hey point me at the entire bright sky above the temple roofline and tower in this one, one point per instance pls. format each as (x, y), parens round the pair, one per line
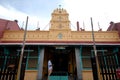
(39, 11)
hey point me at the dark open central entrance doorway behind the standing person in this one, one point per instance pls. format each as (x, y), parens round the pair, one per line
(63, 59)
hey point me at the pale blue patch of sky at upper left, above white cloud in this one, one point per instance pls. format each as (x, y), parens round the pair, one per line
(32, 7)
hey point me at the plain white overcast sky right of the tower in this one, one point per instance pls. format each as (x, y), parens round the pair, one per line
(102, 11)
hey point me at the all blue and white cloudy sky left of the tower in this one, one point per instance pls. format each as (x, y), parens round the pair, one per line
(39, 11)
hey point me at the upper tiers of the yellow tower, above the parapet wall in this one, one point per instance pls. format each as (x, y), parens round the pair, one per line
(60, 19)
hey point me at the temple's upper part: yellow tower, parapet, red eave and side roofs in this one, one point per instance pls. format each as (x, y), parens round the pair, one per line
(59, 33)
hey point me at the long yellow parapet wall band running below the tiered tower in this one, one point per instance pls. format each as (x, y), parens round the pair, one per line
(102, 36)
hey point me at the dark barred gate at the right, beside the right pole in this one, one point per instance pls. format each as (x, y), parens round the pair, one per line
(108, 64)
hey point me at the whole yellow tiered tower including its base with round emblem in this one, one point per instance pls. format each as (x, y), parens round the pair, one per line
(60, 25)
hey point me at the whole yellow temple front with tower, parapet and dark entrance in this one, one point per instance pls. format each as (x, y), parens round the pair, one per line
(69, 50)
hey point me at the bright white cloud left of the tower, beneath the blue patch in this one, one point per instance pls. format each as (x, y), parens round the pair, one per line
(12, 14)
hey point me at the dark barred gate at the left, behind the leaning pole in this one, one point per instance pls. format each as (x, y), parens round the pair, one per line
(9, 67)
